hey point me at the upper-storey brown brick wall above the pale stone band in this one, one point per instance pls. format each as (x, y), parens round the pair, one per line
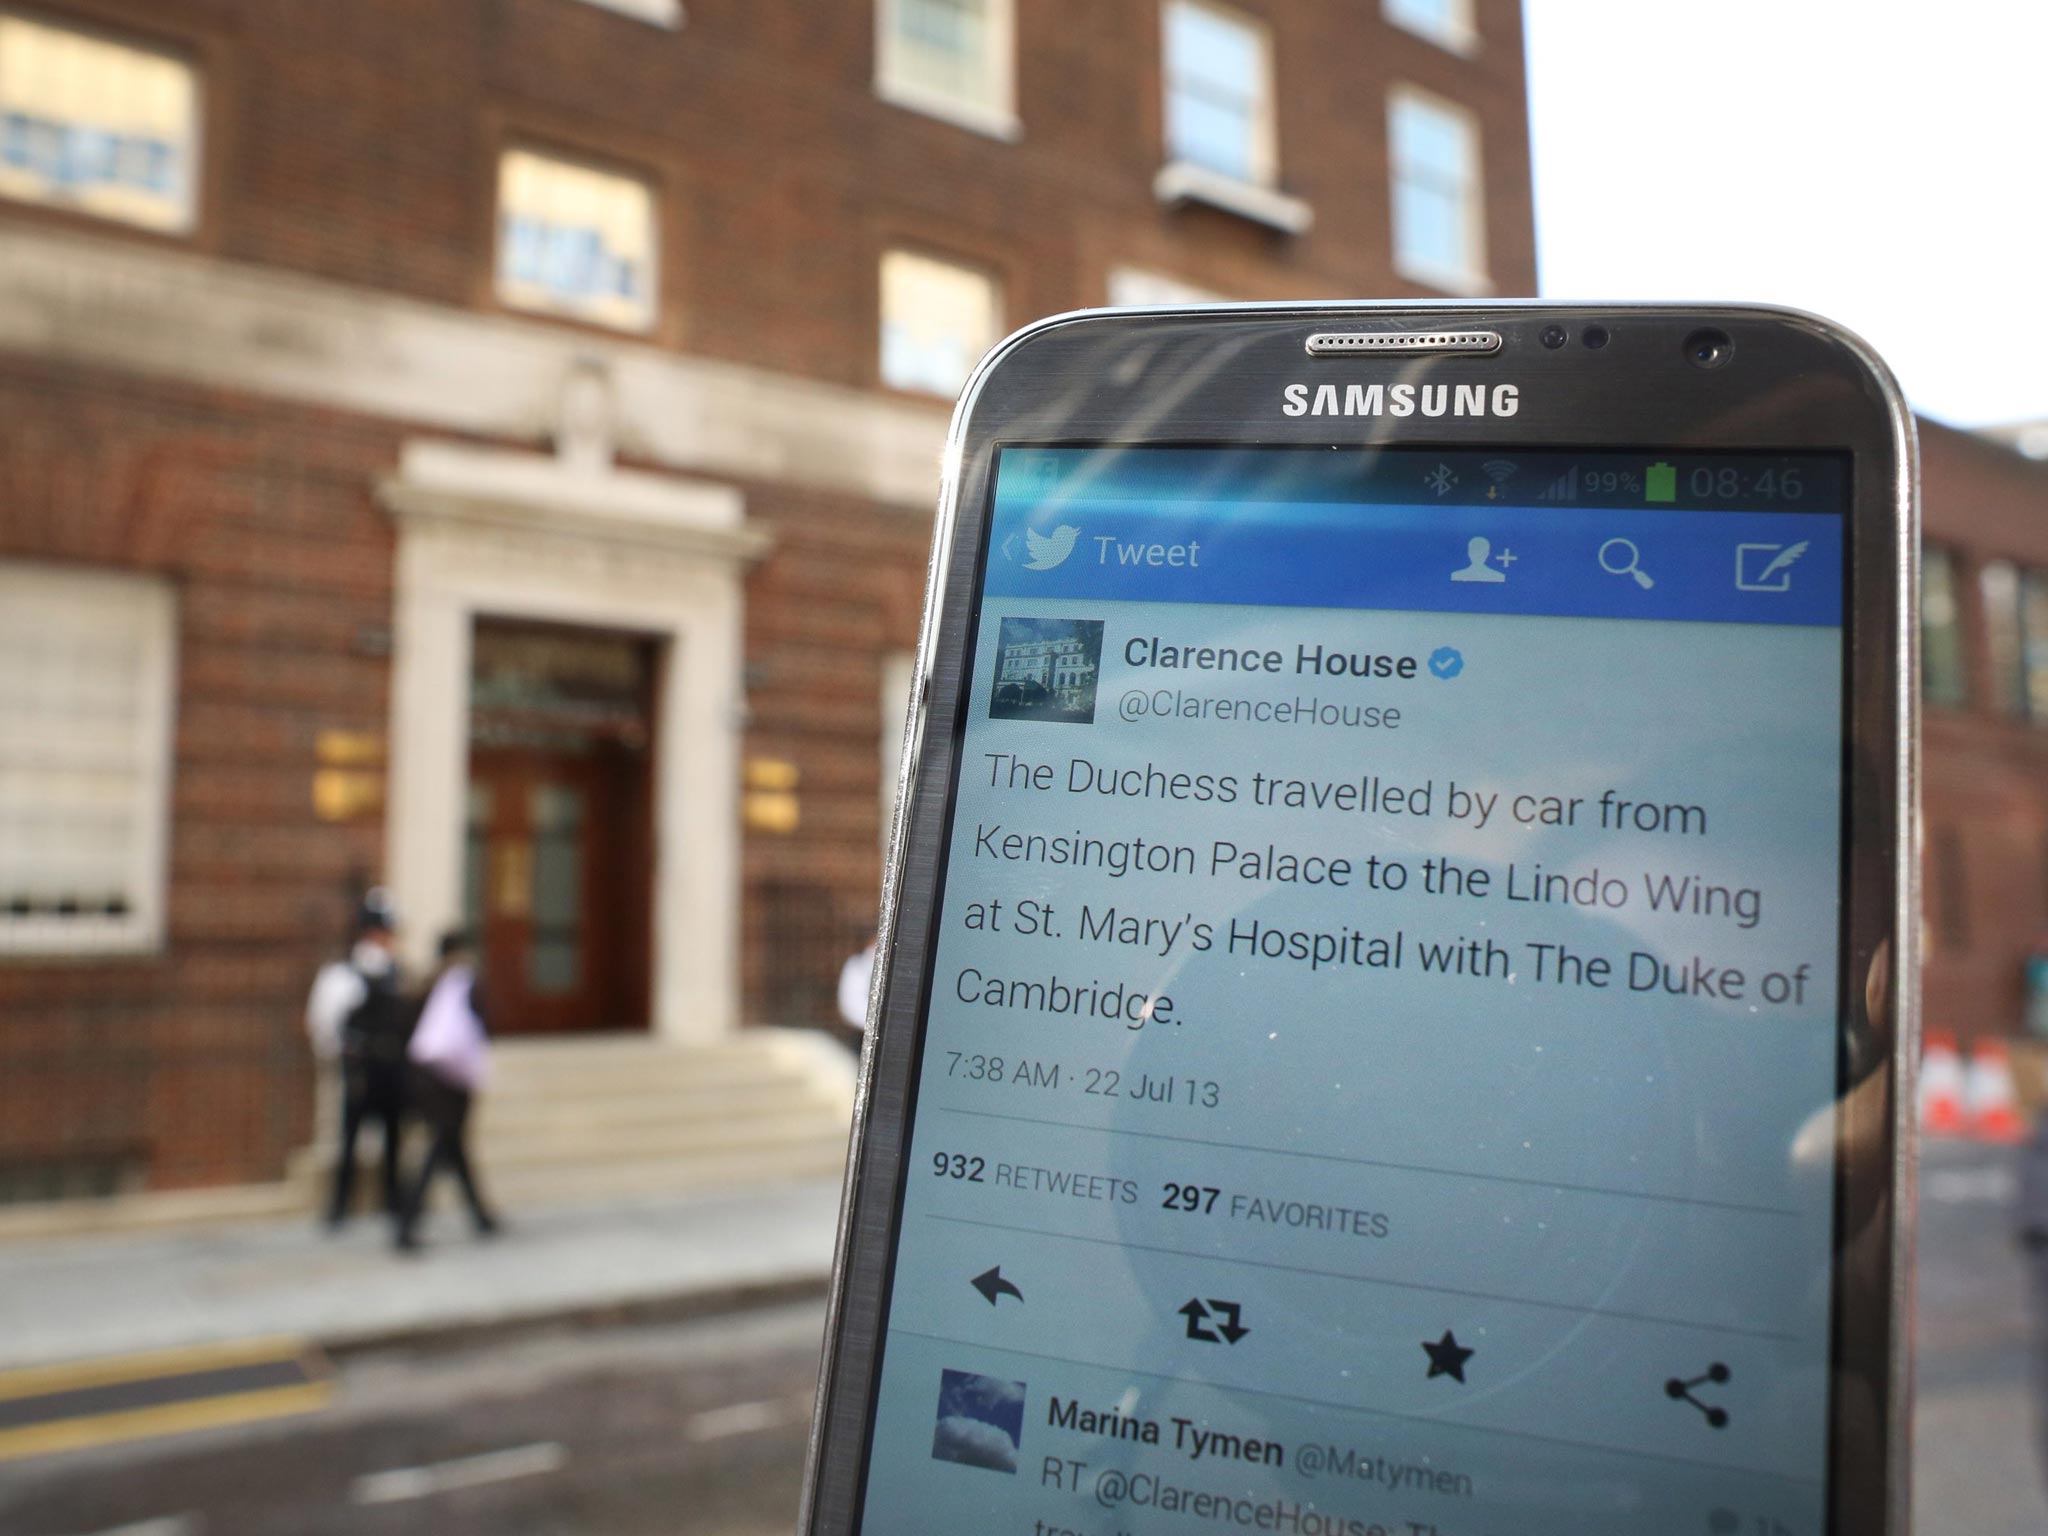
(359, 144)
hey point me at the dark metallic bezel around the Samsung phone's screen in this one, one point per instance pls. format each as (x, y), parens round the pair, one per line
(1215, 376)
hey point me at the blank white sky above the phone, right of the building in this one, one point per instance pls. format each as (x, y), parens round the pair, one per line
(1875, 161)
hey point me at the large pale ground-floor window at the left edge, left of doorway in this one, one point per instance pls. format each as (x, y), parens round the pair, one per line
(85, 761)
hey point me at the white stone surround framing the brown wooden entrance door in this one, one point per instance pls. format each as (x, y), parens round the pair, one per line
(574, 540)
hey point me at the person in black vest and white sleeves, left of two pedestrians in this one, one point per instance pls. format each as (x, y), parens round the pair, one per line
(361, 1017)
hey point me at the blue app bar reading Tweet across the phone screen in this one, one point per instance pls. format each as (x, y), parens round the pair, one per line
(1086, 525)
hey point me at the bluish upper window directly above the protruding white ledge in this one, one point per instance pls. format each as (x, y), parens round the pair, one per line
(1220, 93)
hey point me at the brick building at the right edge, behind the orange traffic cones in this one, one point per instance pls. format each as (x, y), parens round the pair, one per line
(1986, 687)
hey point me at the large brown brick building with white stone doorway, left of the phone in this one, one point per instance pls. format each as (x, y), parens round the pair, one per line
(488, 447)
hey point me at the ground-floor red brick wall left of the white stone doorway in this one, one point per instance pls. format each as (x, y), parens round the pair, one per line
(196, 1060)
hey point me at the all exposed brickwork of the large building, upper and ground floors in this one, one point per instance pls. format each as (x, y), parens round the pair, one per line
(359, 142)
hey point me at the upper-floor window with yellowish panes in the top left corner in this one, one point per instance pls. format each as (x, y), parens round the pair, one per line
(97, 126)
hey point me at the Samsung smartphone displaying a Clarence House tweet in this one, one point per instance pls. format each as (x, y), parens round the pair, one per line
(1396, 996)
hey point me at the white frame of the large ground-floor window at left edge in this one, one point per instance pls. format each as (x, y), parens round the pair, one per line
(155, 605)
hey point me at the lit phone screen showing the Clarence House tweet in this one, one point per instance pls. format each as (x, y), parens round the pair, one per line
(1381, 1031)
